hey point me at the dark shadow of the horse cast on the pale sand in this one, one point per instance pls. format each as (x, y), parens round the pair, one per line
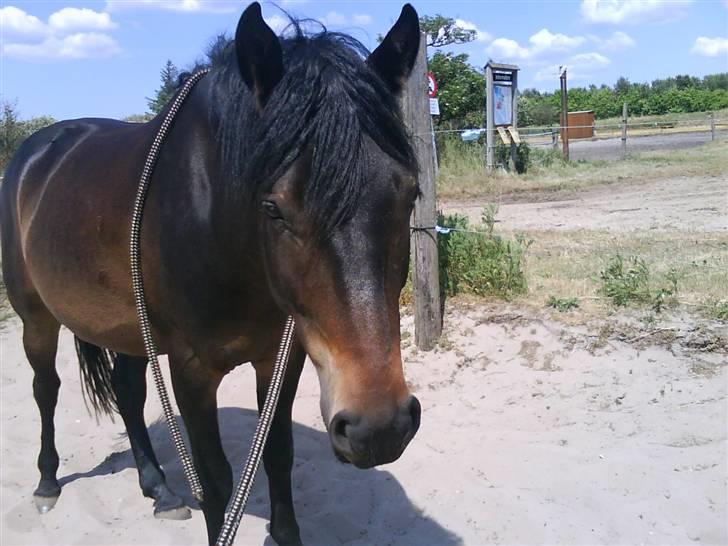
(335, 503)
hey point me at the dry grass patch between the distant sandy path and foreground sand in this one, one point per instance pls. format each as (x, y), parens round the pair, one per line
(566, 264)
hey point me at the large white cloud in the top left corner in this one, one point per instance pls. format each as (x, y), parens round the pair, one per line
(68, 34)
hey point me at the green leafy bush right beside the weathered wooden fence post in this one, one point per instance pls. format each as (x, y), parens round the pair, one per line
(476, 261)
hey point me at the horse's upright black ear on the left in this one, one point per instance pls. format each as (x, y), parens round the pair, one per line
(259, 52)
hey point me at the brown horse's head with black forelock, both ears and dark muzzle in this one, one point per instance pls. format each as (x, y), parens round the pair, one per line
(334, 217)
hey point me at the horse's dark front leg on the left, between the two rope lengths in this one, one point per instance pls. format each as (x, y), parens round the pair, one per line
(195, 388)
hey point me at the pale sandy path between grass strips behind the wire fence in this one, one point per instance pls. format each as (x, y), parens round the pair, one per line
(694, 203)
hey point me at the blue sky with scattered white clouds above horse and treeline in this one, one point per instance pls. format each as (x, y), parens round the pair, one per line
(69, 58)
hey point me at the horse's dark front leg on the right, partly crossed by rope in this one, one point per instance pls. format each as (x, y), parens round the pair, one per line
(278, 452)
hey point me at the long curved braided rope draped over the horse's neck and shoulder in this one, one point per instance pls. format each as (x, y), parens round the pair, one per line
(138, 283)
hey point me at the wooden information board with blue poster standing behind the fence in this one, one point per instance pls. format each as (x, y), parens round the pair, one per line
(501, 107)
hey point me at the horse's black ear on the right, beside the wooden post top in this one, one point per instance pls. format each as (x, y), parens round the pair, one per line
(395, 56)
